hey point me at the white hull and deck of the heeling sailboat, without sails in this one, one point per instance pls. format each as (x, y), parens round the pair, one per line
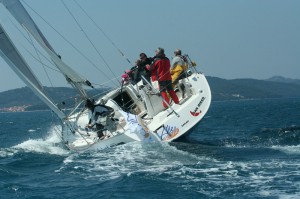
(164, 126)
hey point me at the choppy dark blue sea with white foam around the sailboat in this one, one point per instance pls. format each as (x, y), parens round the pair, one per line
(241, 149)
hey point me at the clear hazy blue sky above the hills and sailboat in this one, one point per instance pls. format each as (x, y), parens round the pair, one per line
(229, 39)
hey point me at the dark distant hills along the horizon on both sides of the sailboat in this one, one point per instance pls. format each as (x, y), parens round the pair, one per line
(222, 89)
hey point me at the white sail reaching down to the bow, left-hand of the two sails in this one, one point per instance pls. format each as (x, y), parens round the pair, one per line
(15, 60)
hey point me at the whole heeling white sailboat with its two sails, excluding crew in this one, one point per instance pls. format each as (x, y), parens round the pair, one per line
(138, 113)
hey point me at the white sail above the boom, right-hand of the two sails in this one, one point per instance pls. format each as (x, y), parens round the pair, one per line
(21, 15)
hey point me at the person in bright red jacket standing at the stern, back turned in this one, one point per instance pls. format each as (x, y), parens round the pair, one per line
(160, 71)
